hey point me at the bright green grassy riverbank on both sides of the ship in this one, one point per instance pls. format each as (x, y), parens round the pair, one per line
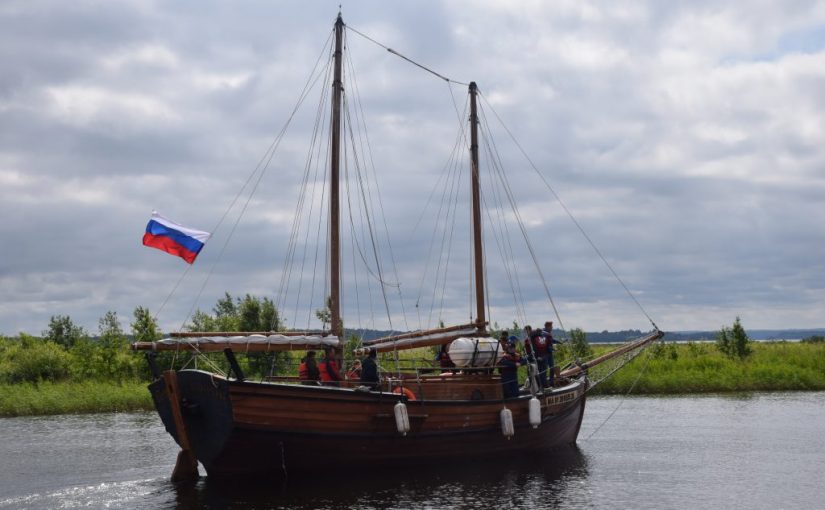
(664, 369)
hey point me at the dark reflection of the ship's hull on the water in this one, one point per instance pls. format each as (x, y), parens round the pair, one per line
(527, 483)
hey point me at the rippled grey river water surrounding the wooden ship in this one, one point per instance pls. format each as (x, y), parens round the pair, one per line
(747, 451)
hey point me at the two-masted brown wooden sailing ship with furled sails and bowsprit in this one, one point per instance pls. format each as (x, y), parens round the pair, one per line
(235, 426)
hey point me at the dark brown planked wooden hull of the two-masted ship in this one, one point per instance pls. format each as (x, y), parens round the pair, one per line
(275, 429)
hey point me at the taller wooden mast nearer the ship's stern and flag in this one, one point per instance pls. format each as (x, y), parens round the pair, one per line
(334, 201)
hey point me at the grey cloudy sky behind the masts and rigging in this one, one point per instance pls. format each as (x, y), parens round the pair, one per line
(685, 138)
